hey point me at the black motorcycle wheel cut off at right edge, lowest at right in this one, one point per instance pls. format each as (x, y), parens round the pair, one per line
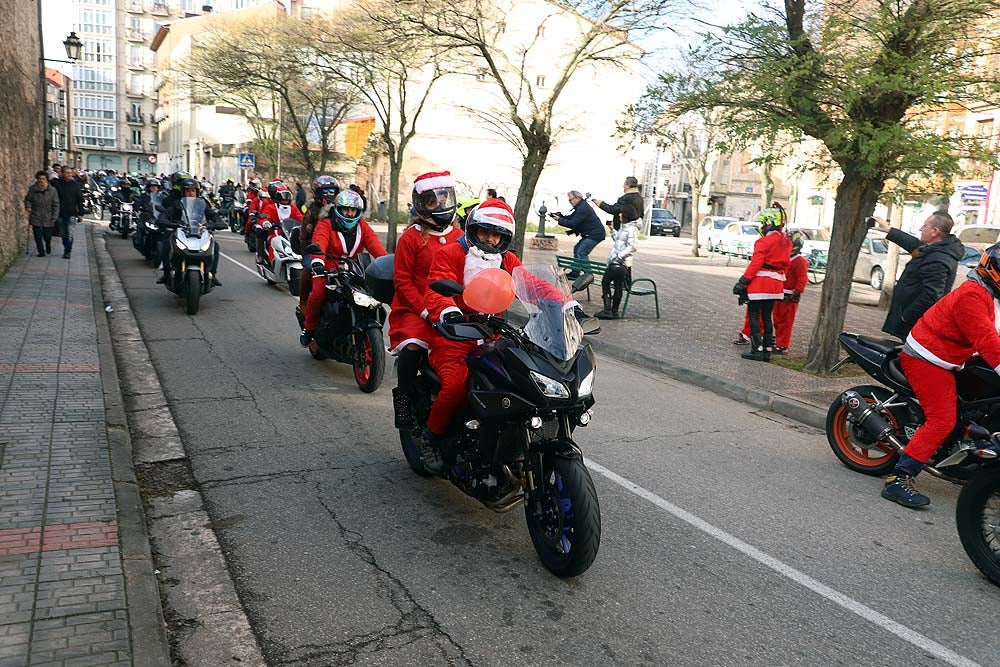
(977, 517)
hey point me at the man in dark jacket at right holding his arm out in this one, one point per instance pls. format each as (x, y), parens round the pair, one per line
(928, 276)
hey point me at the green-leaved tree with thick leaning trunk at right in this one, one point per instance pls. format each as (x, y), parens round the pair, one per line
(870, 81)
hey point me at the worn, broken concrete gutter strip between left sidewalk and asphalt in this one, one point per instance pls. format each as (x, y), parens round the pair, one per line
(209, 627)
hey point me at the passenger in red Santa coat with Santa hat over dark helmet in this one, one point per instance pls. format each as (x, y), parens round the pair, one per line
(431, 228)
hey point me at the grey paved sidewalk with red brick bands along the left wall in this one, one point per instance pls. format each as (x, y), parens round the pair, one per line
(76, 578)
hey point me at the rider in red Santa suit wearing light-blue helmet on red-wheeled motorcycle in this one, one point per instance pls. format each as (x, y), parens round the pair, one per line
(341, 232)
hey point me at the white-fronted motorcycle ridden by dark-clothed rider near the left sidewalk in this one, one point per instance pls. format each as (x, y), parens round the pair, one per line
(192, 248)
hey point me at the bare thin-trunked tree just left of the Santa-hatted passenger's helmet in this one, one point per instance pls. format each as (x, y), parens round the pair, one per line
(393, 70)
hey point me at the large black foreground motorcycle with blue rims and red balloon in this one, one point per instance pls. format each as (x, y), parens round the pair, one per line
(512, 443)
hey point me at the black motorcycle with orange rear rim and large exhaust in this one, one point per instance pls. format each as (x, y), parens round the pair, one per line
(868, 426)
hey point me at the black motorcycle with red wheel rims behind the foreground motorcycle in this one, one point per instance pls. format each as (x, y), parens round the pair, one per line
(350, 324)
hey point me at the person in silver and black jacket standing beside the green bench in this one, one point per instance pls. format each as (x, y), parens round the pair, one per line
(626, 216)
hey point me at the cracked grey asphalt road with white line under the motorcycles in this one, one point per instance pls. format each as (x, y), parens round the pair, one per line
(730, 537)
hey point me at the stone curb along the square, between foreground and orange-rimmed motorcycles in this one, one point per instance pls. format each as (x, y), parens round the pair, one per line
(801, 412)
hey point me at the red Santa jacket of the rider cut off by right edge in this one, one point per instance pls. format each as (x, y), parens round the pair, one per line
(962, 323)
